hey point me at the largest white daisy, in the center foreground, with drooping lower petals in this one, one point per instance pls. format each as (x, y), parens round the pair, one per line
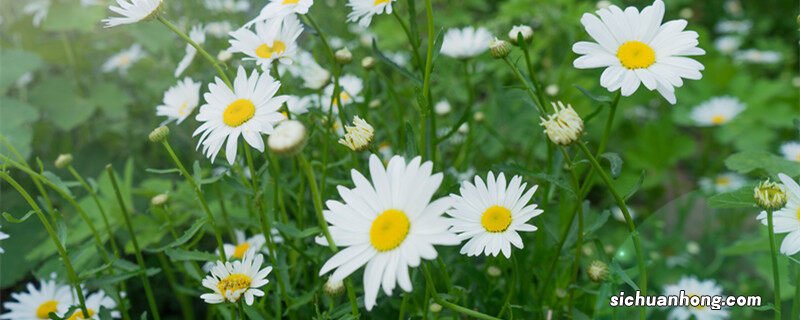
(388, 223)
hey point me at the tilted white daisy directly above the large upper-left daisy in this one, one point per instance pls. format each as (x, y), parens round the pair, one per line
(273, 39)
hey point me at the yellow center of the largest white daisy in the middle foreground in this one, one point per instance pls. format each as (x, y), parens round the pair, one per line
(389, 230)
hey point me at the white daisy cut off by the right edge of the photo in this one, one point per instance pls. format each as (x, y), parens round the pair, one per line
(787, 220)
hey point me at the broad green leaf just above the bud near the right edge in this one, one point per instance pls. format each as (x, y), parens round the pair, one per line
(749, 161)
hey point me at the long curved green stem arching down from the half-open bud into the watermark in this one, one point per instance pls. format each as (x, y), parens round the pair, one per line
(631, 227)
